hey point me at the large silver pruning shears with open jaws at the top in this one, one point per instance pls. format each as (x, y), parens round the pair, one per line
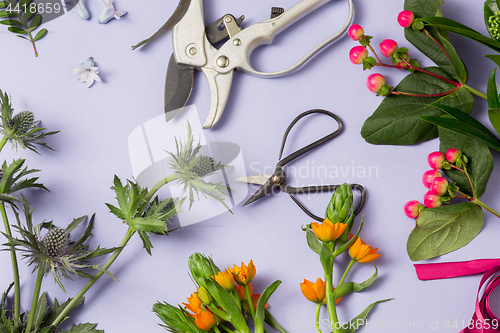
(193, 49)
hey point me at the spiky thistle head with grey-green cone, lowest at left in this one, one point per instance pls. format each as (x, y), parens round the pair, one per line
(54, 252)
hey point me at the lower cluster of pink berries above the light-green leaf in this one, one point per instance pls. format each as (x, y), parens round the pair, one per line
(440, 190)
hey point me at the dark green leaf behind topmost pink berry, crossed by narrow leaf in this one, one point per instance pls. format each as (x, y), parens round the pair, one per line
(425, 44)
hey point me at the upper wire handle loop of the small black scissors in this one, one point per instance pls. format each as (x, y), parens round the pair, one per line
(310, 146)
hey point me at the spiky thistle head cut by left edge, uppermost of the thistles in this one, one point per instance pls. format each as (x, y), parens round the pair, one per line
(20, 129)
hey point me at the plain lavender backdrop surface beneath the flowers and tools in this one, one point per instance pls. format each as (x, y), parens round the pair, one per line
(93, 146)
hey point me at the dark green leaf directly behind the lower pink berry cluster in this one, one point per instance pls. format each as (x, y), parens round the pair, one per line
(480, 163)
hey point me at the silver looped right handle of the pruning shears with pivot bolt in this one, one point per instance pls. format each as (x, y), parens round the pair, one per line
(236, 52)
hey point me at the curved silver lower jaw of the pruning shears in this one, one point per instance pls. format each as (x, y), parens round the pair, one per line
(220, 85)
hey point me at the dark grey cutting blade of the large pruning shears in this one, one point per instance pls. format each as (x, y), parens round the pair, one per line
(178, 87)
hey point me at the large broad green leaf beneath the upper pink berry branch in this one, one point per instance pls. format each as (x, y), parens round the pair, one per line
(396, 120)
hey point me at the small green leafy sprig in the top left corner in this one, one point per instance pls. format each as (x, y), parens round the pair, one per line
(22, 20)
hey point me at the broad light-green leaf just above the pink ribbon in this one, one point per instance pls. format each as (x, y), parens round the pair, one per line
(444, 229)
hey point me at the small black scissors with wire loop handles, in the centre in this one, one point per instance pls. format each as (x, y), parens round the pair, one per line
(278, 179)
